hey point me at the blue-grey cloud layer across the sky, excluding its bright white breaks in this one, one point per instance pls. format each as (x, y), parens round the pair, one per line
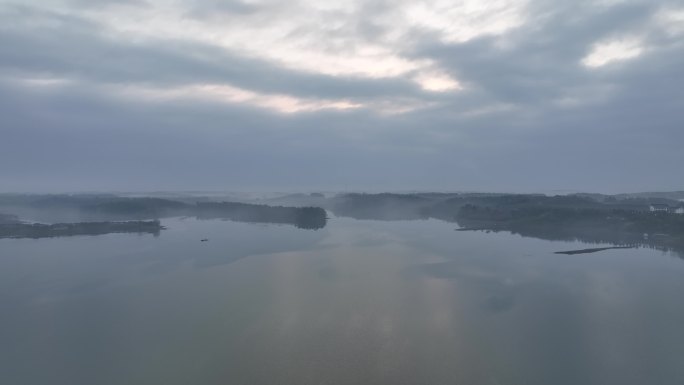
(80, 136)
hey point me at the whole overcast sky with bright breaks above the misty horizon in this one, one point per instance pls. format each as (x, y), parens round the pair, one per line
(471, 95)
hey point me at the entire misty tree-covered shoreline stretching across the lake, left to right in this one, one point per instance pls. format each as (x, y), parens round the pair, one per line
(593, 218)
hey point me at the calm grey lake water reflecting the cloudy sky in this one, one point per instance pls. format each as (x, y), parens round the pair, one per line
(356, 302)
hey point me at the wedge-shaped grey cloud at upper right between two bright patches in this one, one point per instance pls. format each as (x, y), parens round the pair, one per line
(543, 58)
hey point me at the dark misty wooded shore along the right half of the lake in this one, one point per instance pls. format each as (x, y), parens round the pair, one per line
(584, 218)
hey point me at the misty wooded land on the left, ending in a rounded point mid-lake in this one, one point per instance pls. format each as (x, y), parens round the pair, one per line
(74, 213)
